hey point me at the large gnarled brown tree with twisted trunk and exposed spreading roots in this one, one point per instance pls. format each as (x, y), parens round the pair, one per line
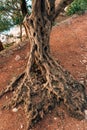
(44, 83)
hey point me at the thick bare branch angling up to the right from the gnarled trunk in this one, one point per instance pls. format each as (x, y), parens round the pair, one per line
(62, 4)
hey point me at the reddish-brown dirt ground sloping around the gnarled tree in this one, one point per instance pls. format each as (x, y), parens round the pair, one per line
(69, 46)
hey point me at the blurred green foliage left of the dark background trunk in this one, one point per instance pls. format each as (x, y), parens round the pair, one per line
(9, 12)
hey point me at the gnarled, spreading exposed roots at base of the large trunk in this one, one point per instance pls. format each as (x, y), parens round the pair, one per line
(47, 86)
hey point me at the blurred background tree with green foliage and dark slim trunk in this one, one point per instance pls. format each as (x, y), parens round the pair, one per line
(12, 12)
